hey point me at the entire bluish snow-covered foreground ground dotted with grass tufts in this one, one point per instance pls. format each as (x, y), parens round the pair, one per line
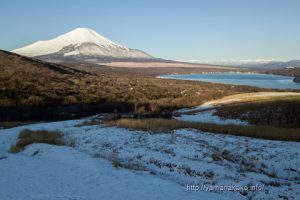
(154, 166)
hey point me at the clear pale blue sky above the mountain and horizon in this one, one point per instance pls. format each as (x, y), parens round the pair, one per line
(210, 30)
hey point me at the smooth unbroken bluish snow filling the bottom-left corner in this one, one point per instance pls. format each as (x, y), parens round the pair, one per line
(58, 172)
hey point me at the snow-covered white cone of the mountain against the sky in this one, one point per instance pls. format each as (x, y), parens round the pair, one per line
(81, 44)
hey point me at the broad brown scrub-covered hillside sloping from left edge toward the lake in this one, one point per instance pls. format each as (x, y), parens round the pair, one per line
(27, 82)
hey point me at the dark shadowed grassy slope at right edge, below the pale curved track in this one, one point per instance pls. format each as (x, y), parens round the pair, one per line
(284, 111)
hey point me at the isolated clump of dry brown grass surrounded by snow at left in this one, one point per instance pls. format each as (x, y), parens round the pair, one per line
(27, 137)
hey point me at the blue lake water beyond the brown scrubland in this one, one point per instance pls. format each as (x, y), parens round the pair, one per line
(252, 79)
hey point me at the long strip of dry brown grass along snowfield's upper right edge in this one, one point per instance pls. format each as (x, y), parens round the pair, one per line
(156, 125)
